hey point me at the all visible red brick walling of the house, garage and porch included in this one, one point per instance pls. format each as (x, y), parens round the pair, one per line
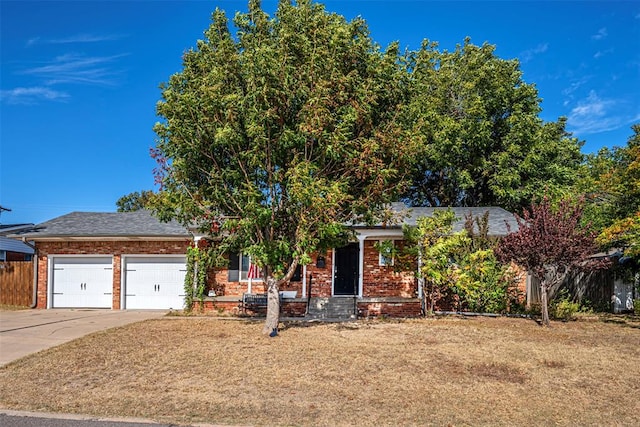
(379, 281)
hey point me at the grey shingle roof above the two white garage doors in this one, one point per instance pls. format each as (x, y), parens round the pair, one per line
(99, 224)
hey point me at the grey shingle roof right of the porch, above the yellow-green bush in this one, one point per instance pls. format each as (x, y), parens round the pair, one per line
(498, 217)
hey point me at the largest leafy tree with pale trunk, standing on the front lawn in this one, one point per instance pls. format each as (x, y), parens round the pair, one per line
(277, 136)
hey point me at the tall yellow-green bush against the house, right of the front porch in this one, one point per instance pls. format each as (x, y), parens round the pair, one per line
(460, 267)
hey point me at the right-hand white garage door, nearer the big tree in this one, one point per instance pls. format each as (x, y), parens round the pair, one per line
(154, 282)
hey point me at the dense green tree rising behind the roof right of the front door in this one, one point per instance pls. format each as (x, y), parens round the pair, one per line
(483, 142)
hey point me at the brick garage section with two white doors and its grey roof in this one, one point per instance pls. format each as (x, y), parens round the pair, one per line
(109, 260)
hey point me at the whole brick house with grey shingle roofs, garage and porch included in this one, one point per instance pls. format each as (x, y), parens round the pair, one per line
(133, 261)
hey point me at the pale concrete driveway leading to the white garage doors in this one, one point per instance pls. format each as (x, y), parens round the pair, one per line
(28, 331)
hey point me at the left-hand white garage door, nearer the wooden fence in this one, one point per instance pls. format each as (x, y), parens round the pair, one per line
(82, 282)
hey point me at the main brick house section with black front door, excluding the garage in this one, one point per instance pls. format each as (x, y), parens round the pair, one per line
(354, 280)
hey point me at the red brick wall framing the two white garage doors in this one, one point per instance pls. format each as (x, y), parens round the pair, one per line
(113, 248)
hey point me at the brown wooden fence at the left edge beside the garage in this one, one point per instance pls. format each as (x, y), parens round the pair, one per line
(16, 283)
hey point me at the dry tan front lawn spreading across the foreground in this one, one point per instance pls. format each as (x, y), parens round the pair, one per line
(445, 371)
